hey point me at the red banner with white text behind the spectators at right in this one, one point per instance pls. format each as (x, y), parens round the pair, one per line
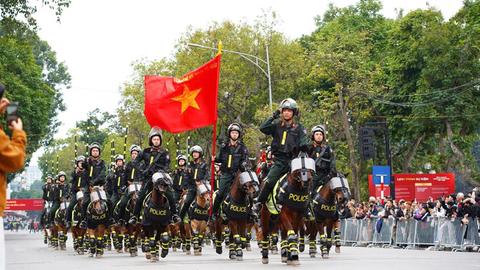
(418, 186)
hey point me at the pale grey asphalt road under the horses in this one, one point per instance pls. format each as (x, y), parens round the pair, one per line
(27, 251)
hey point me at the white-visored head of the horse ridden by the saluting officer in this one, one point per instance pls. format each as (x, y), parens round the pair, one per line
(301, 171)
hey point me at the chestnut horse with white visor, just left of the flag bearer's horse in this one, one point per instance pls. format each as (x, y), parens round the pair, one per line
(198, 216)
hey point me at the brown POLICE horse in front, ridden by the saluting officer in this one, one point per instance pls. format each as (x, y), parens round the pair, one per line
(292, 194)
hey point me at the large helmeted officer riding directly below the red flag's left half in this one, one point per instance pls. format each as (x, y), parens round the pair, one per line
(154, 159)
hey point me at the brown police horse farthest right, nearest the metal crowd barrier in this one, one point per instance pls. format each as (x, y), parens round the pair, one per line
(325, 207)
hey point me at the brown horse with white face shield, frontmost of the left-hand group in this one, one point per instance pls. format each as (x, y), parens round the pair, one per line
(97, 220)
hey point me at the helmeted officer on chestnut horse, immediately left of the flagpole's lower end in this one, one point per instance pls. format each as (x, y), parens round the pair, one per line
(198, 173)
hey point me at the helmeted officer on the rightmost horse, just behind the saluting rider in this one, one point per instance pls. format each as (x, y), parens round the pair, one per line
(323, 155)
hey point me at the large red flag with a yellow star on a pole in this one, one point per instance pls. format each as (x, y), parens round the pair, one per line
(190, 102)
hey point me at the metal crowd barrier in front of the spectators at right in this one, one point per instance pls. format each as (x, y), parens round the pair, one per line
(436, 233)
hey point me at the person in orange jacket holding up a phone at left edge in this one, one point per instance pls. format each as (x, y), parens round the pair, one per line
(12, 158)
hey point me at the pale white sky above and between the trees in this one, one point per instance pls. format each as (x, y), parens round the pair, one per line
(99, 39)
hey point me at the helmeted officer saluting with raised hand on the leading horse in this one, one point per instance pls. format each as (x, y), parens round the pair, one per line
(289, 137)
